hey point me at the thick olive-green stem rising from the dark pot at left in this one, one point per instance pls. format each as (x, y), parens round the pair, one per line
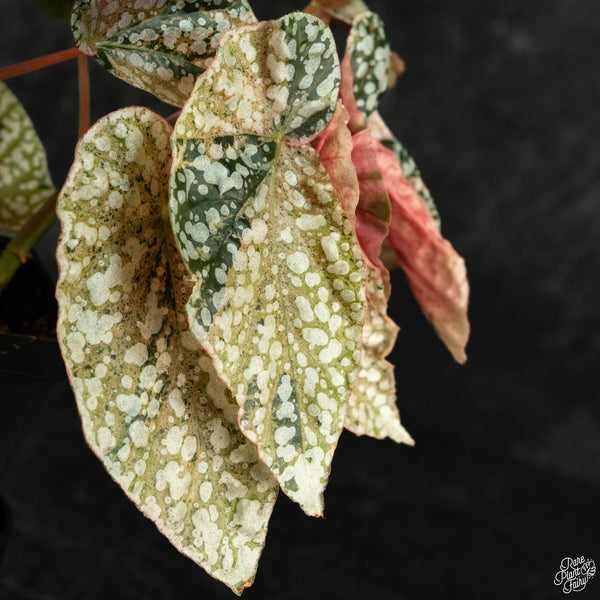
(18, 250)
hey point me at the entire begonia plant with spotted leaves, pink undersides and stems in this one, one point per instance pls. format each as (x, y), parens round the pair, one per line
(224, 277)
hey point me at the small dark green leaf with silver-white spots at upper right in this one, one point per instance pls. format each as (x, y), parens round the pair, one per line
(368, 53)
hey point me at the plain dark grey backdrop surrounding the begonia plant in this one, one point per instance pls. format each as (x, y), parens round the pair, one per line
(500, 107)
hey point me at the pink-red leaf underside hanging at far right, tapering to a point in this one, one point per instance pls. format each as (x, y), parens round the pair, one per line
(435, 272)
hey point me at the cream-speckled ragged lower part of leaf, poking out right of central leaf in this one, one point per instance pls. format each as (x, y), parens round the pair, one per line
(372, 406)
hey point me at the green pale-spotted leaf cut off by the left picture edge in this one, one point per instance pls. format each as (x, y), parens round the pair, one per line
(25, 183)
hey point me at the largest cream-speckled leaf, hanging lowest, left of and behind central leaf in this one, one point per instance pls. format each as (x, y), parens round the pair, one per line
(153, 408)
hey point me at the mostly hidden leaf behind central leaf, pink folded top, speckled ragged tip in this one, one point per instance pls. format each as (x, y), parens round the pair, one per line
(372, 404)
